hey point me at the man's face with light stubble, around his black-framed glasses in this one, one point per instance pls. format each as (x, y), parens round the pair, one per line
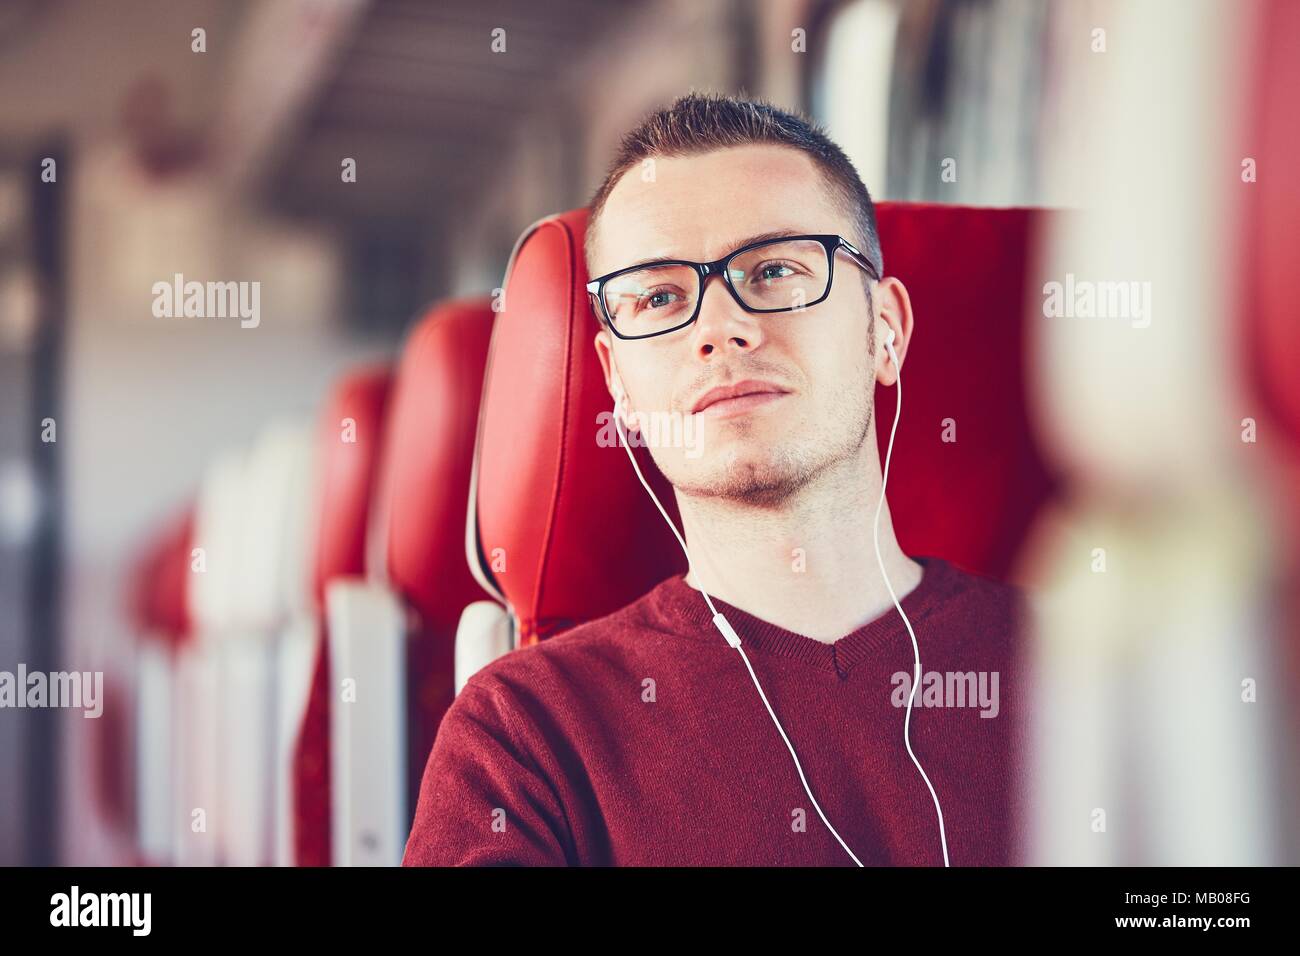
(700, 209)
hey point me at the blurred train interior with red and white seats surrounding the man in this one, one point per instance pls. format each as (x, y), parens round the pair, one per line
(266, 358)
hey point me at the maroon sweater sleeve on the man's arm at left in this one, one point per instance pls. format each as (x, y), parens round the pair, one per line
(484, 798)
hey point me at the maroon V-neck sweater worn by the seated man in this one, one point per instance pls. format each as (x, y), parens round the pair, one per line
(640, 739)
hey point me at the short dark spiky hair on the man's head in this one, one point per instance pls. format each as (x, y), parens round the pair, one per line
(703, 123)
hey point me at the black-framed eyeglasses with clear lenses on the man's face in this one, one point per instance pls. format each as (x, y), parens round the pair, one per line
(785, 275)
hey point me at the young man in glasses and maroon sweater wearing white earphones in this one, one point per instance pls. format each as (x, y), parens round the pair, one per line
(642, 738)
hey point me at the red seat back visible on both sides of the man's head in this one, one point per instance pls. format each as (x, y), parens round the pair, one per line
(578, 533)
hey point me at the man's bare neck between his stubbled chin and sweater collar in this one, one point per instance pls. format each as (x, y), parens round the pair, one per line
(808, 566)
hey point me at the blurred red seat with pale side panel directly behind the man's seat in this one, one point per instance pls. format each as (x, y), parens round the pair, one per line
(396, 637)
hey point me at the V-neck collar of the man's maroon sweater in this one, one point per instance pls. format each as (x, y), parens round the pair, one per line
(682, 607)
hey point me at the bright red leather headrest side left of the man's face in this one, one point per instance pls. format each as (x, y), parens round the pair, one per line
(565, 530)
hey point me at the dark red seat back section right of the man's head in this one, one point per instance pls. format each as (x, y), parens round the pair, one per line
(970, 500)
